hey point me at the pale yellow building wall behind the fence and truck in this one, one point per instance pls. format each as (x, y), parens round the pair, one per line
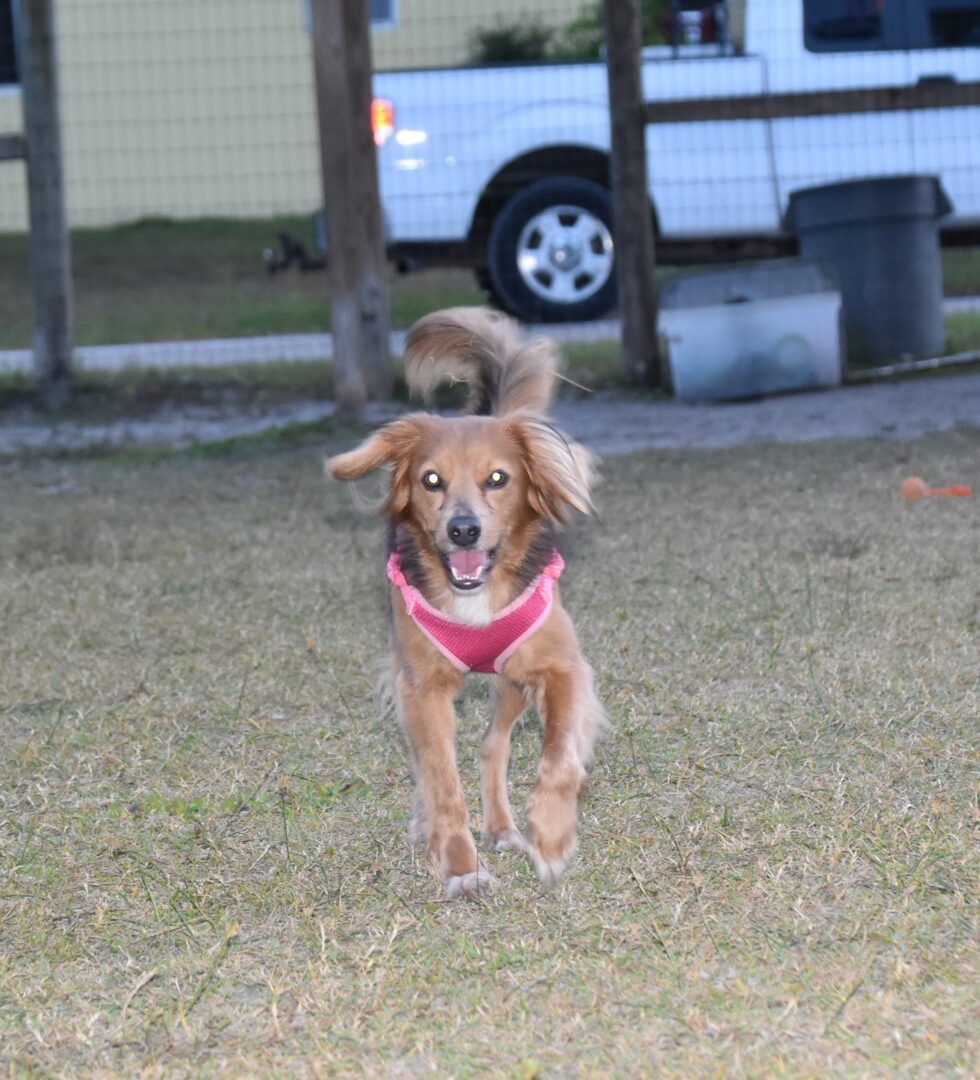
(184, 109)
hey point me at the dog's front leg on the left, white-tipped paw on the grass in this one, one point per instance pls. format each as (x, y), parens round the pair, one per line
(429, 724)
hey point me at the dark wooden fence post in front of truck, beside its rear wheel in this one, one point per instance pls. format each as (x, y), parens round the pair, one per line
(634, 233)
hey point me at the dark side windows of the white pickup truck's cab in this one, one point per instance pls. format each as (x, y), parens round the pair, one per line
(850, 25)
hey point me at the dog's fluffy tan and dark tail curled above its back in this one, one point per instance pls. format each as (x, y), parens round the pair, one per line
(484, 349)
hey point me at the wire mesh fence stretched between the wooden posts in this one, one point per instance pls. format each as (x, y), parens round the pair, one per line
(190, 143)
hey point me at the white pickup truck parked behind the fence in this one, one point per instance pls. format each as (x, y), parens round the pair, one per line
(507, 168)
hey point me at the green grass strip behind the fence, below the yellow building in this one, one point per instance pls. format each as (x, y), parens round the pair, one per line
(162, 280)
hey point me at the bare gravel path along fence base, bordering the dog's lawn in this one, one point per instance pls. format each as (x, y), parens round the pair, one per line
(610, 425)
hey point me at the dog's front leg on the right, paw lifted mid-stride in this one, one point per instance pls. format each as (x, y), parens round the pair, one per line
(569, 712)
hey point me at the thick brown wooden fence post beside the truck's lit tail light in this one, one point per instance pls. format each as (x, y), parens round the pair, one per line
(356, 249)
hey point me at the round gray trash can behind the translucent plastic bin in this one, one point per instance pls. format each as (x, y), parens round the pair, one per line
(882, 237)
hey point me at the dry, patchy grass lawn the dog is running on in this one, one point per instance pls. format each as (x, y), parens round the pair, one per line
(206, 870)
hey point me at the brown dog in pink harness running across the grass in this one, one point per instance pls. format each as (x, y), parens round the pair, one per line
(475, 505)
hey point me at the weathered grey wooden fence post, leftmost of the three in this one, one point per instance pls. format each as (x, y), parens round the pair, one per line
(50, 252)
